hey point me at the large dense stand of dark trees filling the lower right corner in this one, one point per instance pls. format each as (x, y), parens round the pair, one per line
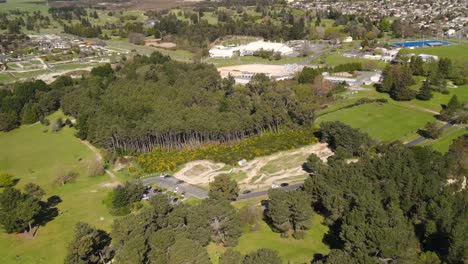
(393, 203)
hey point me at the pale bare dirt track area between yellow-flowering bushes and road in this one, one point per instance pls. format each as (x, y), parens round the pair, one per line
(262, 172)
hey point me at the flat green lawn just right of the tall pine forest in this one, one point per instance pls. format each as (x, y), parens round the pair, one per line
(387, 122)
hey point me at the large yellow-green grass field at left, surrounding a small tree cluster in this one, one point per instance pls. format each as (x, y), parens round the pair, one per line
(33, 155)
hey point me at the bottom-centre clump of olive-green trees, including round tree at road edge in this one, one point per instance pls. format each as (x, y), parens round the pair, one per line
(170, 233)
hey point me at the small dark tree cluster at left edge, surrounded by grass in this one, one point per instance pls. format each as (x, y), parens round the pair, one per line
(21, 210)
